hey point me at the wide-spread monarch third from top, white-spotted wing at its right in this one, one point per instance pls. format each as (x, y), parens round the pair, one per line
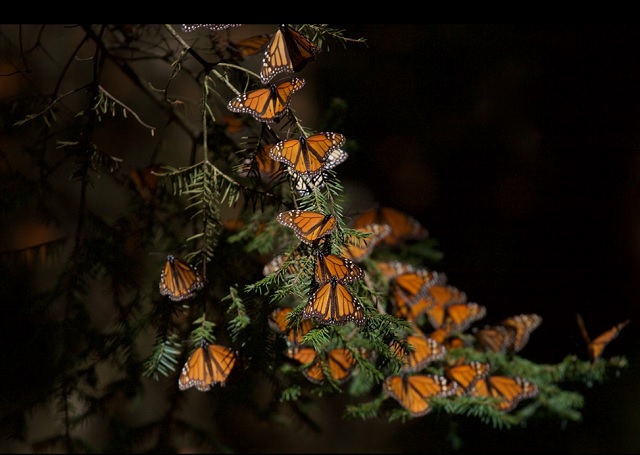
(310, 155)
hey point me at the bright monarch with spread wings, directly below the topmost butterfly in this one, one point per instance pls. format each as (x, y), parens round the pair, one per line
(267, 104)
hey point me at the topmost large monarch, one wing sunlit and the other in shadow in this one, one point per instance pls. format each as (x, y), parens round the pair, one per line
(289, 51)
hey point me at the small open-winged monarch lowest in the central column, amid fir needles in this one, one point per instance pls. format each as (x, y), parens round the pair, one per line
(339, 362)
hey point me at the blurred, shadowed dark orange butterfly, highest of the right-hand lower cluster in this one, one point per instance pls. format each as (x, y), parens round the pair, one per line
(403, 226)
